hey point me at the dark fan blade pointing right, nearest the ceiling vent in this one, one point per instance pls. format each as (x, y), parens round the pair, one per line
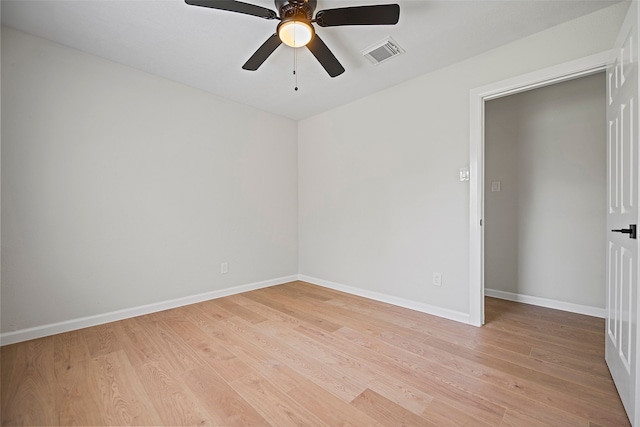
(383, 14)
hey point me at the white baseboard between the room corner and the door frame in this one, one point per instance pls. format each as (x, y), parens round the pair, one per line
(401, 302)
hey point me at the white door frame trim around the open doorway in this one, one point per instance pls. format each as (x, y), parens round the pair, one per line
(477, 97)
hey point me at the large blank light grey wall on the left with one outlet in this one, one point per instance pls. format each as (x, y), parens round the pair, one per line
(121, 189)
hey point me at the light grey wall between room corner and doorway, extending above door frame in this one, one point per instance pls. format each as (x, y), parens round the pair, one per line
(380, 204)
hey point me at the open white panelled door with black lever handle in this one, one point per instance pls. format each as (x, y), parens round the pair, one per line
(622, 216)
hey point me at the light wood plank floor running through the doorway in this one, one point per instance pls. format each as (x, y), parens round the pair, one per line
(298, 354)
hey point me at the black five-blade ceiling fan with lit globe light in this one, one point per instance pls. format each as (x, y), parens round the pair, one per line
(296, 30)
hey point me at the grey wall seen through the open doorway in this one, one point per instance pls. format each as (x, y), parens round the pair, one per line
(544, 231)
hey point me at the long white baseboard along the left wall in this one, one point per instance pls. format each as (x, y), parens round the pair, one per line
(99, 319)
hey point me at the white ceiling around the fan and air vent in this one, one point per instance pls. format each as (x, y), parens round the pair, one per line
(206, 48)
